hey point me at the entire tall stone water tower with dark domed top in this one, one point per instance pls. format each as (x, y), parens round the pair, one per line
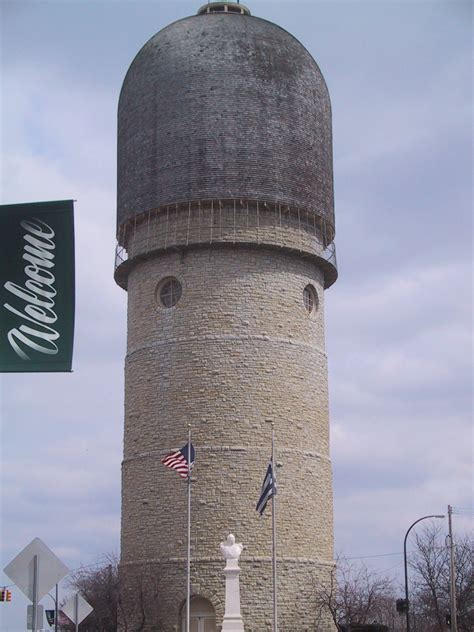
(225, 229)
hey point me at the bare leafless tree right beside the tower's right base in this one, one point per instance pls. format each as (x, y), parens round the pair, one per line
(356, 595)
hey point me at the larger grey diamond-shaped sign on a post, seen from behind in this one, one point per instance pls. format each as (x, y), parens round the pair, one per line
(35, 570)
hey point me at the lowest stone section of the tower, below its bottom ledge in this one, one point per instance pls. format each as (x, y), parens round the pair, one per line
(153, 595)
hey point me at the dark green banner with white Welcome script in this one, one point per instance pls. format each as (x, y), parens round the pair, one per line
(36, 286)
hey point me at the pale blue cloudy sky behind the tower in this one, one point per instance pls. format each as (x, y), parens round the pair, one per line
(398, 320)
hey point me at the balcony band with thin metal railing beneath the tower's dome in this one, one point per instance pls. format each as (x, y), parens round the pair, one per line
(226, 221)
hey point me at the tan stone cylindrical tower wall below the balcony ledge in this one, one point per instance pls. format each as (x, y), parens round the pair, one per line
(238, 349)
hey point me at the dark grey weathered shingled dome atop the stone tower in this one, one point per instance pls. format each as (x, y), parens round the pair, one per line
(224, 105)
